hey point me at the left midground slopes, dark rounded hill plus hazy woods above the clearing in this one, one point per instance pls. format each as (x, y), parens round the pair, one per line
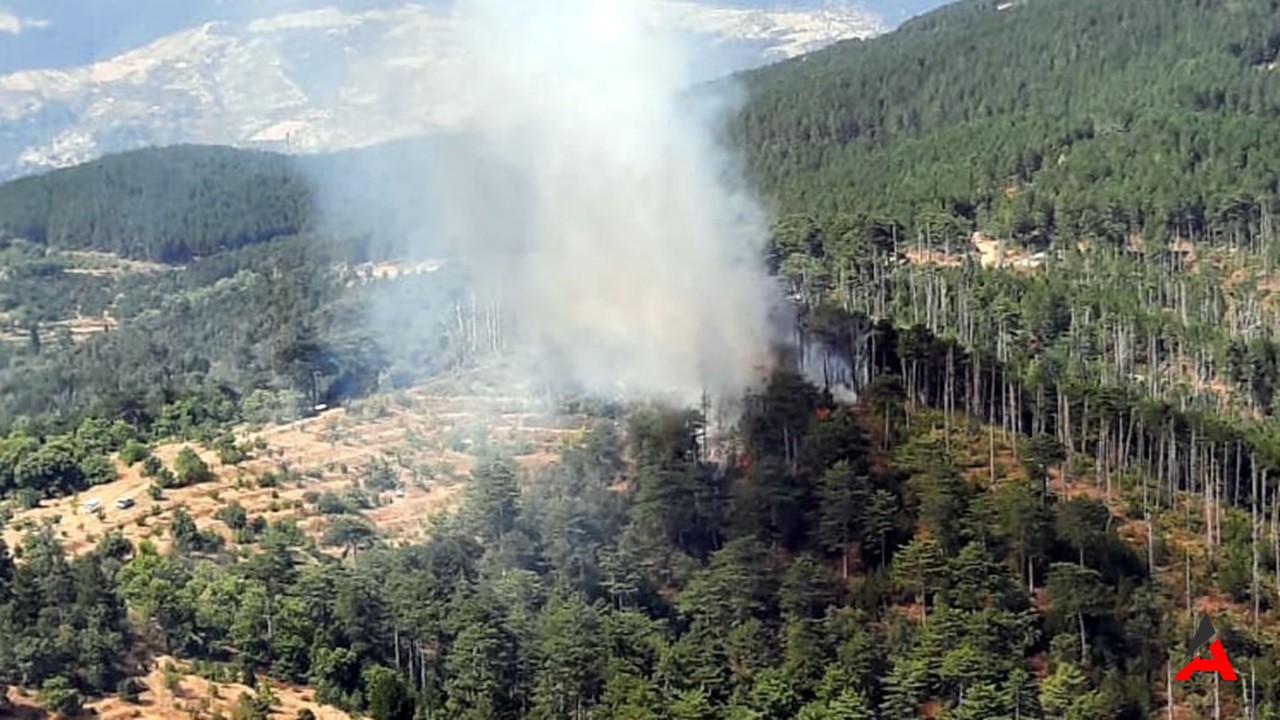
(145, 279)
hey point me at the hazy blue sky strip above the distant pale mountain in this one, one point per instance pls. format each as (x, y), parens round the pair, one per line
(39, 34)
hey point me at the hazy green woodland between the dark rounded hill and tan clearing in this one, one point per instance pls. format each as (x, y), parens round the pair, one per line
(276, 320)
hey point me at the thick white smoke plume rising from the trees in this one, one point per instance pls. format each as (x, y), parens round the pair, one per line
(629, 249)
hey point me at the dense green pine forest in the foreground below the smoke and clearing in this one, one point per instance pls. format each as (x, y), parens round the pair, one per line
(836, 566)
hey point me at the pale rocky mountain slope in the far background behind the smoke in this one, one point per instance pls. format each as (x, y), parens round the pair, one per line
(321, 80)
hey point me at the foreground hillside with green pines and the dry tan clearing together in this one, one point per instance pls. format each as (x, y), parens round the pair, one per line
(904, 563)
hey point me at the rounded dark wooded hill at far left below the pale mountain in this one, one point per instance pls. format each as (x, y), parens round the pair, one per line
(168, 206)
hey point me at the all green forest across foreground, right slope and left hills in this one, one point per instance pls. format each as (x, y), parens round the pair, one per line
(1049, 471)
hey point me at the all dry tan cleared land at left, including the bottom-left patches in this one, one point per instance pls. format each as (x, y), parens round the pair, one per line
(429, 441)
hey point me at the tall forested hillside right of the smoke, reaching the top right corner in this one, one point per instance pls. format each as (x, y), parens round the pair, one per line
(1060, 218)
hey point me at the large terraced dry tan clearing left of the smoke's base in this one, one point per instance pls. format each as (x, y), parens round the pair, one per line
(422, 440)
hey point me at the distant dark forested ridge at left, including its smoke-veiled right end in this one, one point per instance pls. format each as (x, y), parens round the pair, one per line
(185, 203)
